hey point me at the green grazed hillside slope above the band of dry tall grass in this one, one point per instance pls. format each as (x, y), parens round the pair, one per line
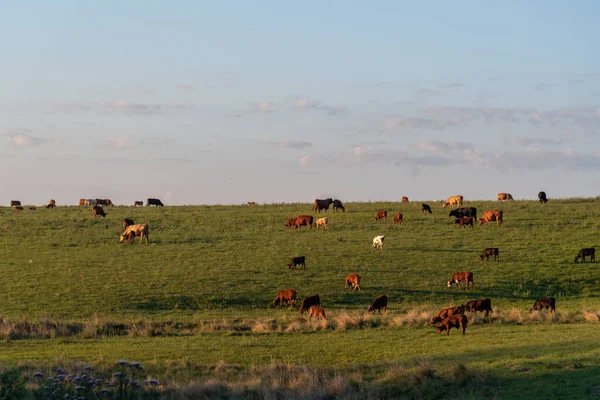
(230, 261)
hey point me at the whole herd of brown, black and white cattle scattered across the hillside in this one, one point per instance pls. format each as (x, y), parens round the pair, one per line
(448, 318)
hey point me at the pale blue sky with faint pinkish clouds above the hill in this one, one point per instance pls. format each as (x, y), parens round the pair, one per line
(198, 102)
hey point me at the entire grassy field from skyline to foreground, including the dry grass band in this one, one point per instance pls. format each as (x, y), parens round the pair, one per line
(193, 304)
